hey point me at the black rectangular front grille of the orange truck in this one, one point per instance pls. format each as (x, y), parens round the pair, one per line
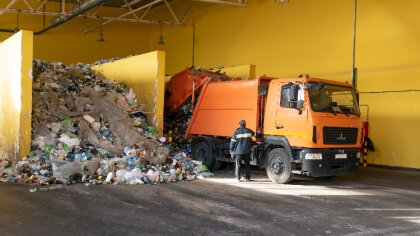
(338, 135)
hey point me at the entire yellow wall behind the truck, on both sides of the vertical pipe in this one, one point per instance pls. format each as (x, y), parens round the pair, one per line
(315, 37)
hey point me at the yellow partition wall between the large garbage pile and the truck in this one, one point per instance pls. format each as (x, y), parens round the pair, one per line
(146, 75)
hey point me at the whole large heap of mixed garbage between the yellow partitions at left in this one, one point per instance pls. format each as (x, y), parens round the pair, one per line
(86, 129)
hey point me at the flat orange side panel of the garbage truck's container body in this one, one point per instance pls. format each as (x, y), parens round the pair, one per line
(222, 104)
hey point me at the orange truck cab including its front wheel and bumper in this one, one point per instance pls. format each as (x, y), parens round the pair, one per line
(316, 123)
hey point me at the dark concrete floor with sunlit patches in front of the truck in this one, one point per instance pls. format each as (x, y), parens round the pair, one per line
(372, 202)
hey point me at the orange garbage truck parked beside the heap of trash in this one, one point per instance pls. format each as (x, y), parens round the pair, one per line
(304, 126)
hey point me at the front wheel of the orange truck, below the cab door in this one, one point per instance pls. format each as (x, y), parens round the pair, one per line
(279, 168)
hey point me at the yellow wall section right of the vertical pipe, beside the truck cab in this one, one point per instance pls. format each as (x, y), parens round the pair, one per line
(389, 59)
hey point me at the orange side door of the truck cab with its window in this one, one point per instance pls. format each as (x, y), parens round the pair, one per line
(291, 117)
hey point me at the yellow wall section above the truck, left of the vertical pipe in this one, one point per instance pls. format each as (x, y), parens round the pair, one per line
(281, 40)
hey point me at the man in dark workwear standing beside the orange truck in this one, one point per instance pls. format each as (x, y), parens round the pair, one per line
(240, 145)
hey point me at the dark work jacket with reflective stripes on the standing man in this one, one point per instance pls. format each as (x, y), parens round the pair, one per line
(241, 141)
